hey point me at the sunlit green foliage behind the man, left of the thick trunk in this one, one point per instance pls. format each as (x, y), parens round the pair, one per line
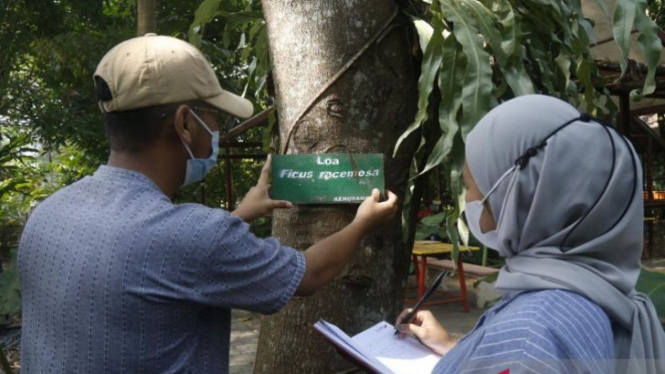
(51, 131)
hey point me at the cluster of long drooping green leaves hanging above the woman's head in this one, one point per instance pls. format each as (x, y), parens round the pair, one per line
(499, 49)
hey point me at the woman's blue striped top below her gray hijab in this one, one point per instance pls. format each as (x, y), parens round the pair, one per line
(543, 332)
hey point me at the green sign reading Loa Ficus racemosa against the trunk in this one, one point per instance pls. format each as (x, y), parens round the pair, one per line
(326, 179)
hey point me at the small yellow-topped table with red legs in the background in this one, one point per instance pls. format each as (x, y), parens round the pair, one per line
(424, 248)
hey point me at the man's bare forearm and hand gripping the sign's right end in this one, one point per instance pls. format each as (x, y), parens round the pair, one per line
(327, 258)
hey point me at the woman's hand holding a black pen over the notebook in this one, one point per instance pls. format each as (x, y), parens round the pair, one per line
(427, 329)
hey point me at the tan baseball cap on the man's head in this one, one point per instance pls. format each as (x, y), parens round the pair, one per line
(154, 70)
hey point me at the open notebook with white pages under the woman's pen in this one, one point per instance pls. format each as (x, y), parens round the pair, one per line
(379, 350)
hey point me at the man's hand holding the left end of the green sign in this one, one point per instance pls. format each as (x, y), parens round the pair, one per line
(257, 203)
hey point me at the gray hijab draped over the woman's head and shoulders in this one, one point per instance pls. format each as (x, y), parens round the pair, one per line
(562, 223)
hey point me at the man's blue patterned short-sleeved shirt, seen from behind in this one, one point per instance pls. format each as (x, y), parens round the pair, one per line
(117, 279)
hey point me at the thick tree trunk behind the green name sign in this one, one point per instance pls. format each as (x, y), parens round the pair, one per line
(364, 111)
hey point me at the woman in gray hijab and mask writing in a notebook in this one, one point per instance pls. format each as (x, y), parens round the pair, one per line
(559, 196)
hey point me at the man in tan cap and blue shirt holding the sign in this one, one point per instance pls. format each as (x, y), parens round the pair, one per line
(115, 277)
